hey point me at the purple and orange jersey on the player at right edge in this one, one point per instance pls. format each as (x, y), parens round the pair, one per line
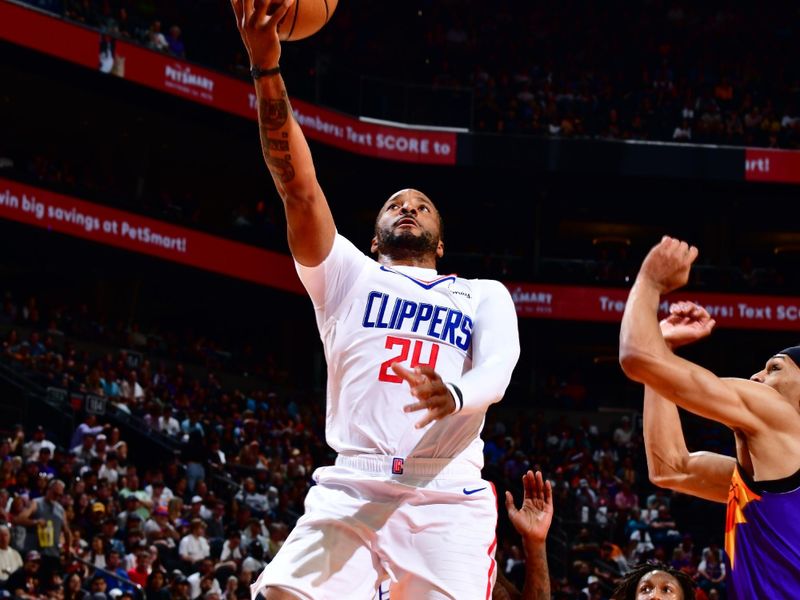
(762, 537)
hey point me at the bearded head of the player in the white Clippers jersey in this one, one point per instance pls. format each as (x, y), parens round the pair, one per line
(408, 224)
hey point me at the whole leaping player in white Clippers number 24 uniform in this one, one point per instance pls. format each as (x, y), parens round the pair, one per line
(414, 358)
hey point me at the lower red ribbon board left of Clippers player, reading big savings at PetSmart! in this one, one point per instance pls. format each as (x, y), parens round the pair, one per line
(63, 214)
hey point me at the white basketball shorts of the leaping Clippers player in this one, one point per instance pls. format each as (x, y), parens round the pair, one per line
(427, 524)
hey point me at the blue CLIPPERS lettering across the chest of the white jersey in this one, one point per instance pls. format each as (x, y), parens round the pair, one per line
(446, 324)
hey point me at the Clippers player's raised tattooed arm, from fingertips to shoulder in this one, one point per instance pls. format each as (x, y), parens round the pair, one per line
(310, 226)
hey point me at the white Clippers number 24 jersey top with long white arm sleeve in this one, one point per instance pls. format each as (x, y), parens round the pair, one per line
(370, 316)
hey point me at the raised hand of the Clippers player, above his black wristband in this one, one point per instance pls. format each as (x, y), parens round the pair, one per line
(257, 21)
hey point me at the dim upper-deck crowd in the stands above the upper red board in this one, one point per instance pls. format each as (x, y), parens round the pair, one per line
(669, 70)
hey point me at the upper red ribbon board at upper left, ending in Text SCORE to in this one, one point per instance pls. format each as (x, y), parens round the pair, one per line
(164, 73)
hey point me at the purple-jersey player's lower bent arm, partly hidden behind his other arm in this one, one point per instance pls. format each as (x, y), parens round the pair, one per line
(669, 462)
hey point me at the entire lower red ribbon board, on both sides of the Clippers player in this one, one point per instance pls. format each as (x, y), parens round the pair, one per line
(63, 214)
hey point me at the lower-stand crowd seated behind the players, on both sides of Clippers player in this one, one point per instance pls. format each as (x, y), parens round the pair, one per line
(205, 519)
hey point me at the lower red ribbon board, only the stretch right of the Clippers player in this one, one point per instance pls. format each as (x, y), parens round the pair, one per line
(607, 304)
